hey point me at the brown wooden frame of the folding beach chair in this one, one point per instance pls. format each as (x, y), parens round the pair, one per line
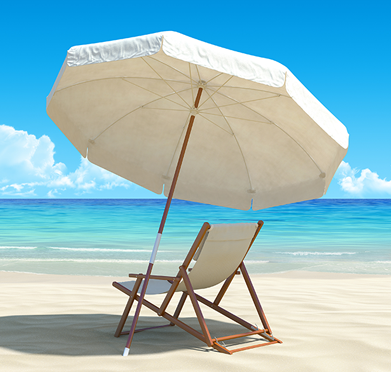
(196, 299)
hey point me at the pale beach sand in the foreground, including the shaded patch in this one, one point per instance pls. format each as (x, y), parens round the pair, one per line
(327, 322)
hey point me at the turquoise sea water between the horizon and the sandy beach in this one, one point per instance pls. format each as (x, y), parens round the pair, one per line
(115, 237)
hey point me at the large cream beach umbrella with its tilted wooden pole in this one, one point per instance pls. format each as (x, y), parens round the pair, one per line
(242, 130)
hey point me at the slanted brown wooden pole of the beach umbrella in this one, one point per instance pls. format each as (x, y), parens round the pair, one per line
(162, 223)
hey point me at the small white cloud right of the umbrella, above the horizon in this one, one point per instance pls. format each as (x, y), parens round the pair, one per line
(362, 184)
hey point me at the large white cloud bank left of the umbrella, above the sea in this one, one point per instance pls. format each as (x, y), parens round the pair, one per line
(27, 162)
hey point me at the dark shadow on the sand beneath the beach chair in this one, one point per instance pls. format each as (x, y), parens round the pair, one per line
(93, 334)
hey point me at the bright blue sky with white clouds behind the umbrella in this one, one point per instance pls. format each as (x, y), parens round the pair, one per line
(340, 50)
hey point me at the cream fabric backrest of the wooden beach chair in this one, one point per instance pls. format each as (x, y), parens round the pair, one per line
(220, 253)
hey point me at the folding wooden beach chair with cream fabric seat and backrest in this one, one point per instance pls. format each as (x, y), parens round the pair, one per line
(218, 251)
